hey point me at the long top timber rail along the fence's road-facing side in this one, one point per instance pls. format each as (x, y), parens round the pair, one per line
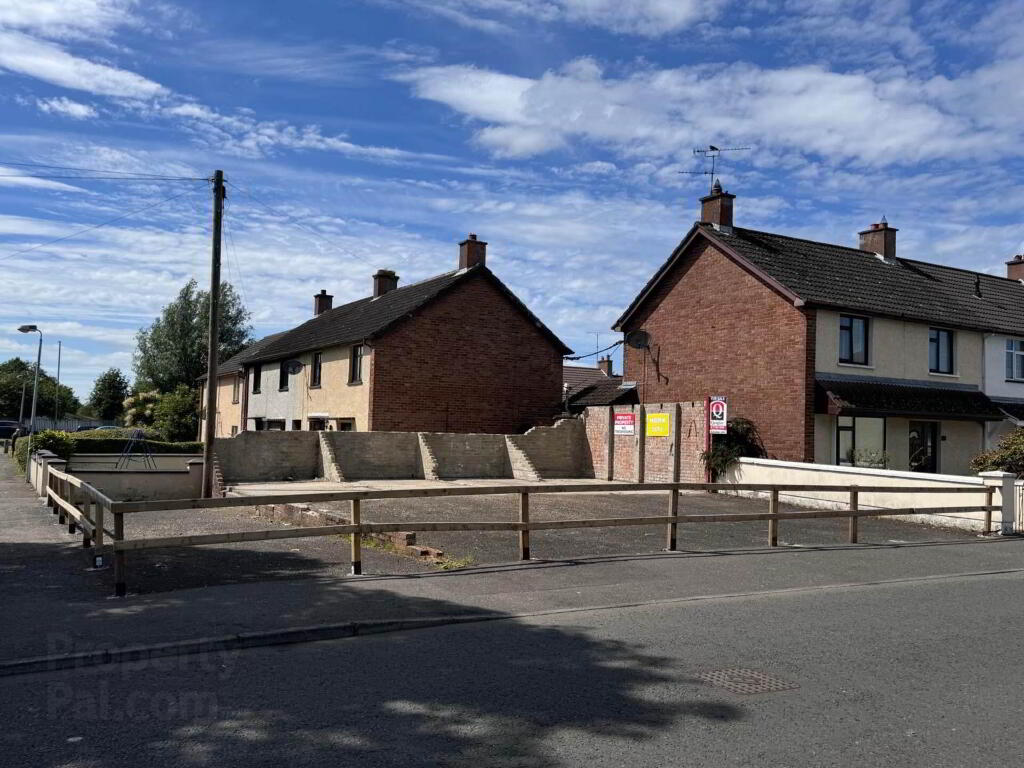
(595, 488)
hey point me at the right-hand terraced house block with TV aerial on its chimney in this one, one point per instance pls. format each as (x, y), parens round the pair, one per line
(839, 355)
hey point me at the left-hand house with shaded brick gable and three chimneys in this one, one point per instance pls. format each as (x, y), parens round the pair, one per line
(458, 353)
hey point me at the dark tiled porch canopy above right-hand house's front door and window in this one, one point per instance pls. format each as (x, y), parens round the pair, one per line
(839, 398)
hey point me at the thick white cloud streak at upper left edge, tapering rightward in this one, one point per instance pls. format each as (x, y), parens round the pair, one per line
(51, 63)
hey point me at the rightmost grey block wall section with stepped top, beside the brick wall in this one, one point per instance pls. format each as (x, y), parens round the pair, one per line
(550, 452)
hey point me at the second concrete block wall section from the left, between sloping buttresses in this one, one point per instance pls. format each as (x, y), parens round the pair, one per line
(373, 456)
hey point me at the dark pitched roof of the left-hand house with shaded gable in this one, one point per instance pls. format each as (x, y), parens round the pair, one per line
(367, 318)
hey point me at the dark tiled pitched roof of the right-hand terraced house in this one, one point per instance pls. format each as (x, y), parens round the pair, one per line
(828, 275)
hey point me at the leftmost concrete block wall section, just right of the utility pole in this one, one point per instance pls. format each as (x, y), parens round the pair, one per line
(265, 457)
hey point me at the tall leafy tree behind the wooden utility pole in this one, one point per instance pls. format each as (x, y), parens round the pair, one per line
(173, 351)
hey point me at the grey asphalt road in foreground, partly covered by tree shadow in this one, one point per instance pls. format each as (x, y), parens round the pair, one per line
(909, 674)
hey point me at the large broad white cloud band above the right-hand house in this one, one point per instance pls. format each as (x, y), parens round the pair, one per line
(653, 113)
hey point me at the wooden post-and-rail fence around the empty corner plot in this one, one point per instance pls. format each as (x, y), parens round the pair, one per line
(84, 508)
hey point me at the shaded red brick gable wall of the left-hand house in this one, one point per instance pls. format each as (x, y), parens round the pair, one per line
(468, 362)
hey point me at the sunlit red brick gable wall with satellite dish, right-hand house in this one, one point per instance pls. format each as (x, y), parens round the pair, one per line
(716, 329)
